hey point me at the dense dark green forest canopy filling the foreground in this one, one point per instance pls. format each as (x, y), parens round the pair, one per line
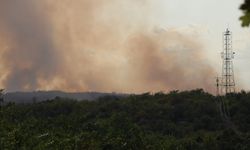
(187, 120)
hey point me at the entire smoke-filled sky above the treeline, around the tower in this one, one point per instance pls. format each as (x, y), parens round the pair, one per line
(130, 46)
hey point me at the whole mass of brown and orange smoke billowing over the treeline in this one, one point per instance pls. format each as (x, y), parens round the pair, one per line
(95, 45)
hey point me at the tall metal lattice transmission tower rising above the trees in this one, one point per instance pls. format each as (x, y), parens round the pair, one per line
(227, 79)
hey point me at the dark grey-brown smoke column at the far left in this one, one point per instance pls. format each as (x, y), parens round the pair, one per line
(30, 53)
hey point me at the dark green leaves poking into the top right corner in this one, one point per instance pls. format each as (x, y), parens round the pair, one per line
(245, 19)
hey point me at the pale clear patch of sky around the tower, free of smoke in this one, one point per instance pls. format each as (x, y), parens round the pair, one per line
(209, 18)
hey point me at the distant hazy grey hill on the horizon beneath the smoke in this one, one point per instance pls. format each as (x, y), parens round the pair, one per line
(38, 96)
